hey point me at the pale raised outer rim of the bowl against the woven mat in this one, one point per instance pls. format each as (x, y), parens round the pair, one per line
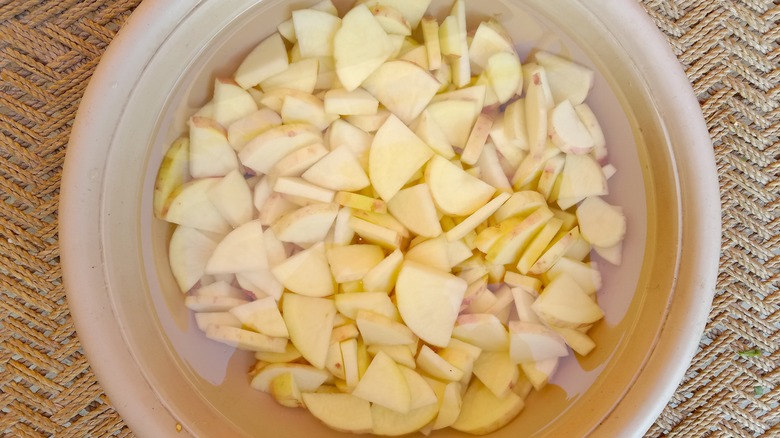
(114, 81)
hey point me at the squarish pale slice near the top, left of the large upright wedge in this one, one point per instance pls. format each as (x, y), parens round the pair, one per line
(314, 31)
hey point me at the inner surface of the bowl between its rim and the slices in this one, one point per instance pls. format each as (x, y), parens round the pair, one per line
(208, 380)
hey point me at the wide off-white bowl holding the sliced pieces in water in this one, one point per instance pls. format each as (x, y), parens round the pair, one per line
(160, 371)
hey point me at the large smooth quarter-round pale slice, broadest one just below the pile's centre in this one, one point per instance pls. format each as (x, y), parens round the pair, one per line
(429, 301)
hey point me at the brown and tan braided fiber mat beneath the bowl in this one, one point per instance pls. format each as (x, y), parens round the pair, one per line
(49, 49)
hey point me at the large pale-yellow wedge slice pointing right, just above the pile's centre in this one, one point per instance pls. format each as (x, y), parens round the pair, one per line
(396, 155)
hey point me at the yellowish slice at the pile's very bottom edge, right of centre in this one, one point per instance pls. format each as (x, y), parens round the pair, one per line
(482, 412)
